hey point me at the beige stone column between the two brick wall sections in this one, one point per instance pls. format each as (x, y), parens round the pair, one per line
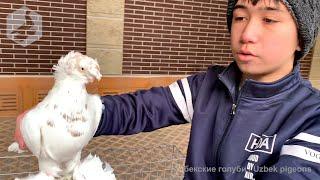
(105, 22)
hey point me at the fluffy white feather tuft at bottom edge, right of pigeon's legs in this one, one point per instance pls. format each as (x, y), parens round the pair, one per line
(92, 169)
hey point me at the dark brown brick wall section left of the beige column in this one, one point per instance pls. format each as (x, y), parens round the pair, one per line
(63, 29)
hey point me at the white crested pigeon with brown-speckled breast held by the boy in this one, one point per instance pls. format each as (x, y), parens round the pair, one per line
(57, 129)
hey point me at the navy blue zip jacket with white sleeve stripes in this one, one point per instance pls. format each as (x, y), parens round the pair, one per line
(262, 131)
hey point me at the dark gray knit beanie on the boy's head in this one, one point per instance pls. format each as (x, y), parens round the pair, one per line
(307, 16)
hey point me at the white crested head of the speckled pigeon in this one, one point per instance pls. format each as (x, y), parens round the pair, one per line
(77, 66)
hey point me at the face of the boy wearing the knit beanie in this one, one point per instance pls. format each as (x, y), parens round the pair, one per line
(264, 38)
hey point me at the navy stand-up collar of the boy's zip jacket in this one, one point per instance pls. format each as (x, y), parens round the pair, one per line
(231, 77)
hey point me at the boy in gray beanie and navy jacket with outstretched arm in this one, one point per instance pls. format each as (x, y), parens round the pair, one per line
(255, 119)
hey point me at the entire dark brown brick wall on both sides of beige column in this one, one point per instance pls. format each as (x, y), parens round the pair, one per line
(160, 36)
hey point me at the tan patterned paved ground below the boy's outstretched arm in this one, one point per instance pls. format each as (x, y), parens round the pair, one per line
(166, 145)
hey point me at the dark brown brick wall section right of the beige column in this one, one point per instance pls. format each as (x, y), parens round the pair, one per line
(177, 36)
